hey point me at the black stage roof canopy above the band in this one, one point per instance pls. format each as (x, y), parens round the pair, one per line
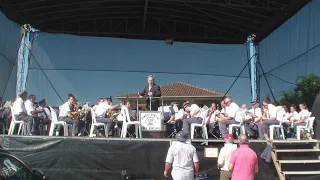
(203, 21)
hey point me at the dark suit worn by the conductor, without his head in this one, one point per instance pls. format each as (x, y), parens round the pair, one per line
(156, 92)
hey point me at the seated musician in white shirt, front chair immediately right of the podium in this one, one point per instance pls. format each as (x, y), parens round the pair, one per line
(195, 116)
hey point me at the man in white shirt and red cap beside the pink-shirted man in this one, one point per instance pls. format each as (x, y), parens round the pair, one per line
(225, 156)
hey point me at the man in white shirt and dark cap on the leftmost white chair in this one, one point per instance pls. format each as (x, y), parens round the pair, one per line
(20, 112)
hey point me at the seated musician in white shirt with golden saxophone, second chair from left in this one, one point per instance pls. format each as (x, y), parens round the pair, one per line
(65, 114)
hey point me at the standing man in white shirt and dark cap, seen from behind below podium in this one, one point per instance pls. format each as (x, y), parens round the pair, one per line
(183, 158)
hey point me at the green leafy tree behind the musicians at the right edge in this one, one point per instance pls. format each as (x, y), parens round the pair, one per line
(306, 90)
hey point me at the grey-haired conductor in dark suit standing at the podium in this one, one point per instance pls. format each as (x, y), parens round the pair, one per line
(151, 90)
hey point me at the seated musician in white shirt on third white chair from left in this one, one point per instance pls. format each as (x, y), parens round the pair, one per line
(101, 112)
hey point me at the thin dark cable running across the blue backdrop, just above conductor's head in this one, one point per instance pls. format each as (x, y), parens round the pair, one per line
(131, 71)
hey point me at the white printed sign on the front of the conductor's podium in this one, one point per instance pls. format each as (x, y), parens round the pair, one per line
(151, 121)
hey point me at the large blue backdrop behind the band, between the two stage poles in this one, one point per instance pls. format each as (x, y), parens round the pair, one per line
(111, 66)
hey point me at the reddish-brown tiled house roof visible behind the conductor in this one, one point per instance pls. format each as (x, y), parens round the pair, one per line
(181, 89)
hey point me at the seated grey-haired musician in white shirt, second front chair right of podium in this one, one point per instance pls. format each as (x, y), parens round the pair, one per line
(228, 117)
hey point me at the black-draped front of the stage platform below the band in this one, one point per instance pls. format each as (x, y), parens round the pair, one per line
(84, 158)
